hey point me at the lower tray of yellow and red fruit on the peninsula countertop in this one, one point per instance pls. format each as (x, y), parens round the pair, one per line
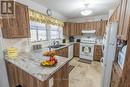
(49, 63)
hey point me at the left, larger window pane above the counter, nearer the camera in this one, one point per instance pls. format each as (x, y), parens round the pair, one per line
(38, 32)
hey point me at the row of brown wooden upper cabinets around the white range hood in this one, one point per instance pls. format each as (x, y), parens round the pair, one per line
(74, 29)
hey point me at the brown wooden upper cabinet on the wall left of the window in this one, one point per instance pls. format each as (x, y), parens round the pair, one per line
(17, 27)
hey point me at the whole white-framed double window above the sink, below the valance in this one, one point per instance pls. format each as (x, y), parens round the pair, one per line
(41, 32)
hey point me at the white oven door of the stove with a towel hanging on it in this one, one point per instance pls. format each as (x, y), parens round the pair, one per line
(86, 51)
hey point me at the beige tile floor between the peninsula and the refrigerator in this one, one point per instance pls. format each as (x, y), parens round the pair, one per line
(85, 75)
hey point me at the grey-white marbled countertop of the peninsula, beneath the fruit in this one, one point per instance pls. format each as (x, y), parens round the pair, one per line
(30, 63)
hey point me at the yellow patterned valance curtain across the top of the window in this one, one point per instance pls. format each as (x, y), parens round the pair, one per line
(42, 18)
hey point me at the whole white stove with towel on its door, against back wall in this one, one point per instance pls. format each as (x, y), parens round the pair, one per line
(87, 48)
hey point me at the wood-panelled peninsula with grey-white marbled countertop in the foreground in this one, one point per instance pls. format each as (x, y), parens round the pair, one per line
(27, 71)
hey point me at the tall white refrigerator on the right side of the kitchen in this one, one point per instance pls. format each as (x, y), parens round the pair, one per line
(109, 50)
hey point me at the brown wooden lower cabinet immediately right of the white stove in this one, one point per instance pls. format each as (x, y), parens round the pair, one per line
(97, 52)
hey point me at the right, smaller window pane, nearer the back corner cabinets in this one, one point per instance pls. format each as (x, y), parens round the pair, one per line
(55, 32)
